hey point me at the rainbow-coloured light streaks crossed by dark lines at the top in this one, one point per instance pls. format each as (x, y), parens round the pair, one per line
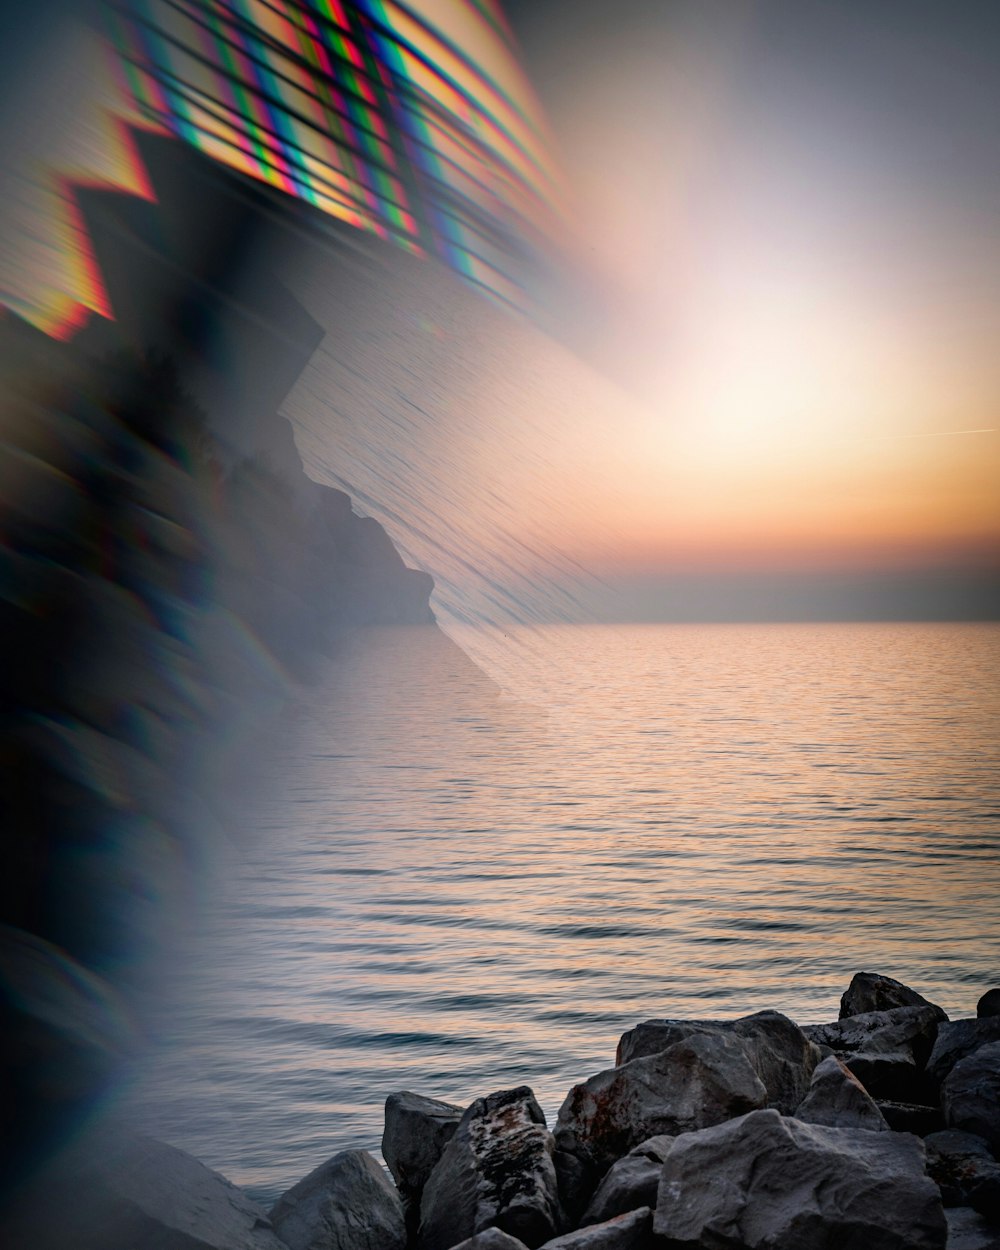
(421, 131)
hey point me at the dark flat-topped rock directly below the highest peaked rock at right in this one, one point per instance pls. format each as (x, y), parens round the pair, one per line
(886, 1051)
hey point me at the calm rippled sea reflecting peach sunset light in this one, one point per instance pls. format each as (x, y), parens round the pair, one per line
(453, 891)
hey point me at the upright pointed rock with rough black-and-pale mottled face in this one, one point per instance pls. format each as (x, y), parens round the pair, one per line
(497, 1172)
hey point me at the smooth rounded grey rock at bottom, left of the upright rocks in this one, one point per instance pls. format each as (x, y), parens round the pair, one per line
(346, 1204)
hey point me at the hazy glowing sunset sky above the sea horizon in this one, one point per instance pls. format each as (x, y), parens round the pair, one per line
(768, 384)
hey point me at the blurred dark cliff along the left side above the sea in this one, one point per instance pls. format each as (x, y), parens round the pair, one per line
(171, 576)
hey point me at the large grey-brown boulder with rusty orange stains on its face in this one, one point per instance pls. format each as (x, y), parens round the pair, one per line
(696, 1083)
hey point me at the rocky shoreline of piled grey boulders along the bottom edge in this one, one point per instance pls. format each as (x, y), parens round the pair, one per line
(877, 1132)
